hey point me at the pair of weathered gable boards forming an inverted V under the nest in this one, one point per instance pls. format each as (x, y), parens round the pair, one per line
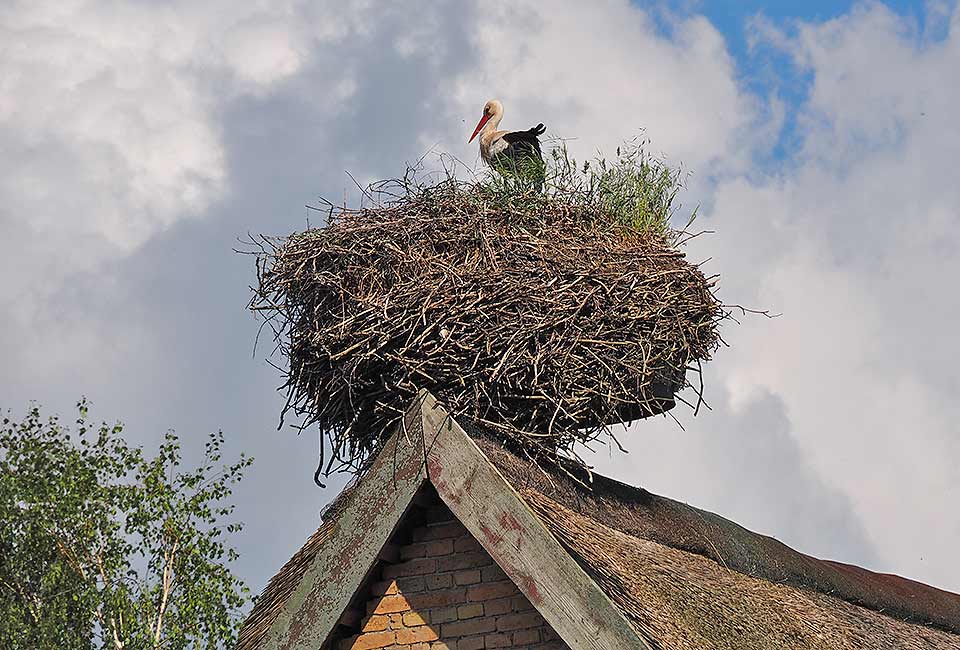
(434, 447)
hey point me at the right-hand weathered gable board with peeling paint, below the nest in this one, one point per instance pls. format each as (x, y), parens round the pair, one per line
(485, 502)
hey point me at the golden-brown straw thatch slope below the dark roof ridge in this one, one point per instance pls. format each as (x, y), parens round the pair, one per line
(682, 601)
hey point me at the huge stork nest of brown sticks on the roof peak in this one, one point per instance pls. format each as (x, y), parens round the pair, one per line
(541, 320)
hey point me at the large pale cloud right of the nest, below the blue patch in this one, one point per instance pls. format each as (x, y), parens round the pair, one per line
(855, 240)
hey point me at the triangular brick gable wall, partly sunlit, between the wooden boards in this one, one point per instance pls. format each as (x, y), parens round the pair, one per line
(443, 591)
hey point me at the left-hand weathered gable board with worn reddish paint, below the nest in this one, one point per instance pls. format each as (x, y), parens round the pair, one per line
(363, 527)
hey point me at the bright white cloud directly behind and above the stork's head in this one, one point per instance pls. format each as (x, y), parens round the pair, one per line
(602, 73)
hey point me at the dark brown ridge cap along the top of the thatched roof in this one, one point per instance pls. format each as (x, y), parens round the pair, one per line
(643, 515)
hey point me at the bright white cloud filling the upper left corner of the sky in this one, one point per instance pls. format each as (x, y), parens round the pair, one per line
(109, 113)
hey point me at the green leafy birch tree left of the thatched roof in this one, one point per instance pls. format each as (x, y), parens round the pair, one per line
(104, 546)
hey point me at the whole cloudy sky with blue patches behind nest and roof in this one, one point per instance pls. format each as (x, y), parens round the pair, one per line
(141, 139)
